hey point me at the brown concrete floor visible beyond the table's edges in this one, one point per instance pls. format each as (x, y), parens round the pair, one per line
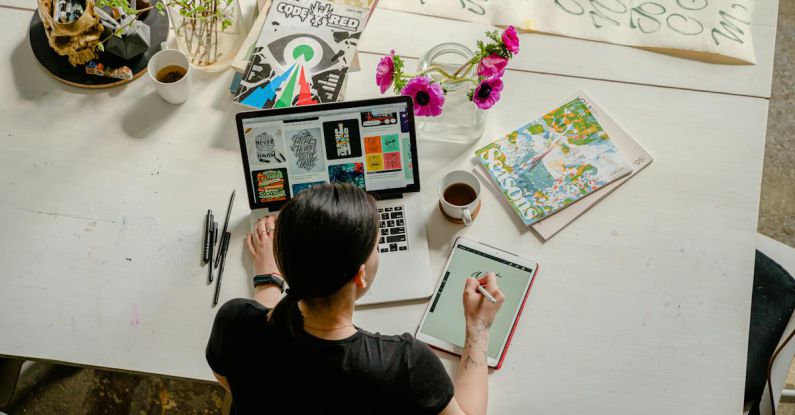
(52, 389)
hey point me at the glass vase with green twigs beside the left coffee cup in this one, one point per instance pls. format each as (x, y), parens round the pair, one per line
(208, 42)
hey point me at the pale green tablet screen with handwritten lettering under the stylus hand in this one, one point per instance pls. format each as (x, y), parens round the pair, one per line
(445, 318)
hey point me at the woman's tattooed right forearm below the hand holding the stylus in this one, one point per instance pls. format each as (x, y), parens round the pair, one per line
(471, 382)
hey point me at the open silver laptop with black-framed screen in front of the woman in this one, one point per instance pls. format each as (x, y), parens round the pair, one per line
(371, 144)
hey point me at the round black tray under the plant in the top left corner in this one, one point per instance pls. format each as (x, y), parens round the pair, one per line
(61, 69)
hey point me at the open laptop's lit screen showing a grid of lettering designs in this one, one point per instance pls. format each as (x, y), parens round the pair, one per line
(370, 144)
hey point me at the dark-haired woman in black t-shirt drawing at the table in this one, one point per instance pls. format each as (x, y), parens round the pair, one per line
(302, 354)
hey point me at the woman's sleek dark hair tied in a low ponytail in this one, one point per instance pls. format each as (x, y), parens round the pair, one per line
(322, 237)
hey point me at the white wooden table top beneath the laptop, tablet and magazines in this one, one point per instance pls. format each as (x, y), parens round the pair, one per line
(642, 302)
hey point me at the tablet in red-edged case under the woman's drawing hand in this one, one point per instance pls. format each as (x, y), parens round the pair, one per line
(443, 325)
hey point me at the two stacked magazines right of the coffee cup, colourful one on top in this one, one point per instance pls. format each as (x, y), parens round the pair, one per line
(553, 169)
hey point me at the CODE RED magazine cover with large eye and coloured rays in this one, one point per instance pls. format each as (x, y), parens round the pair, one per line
(302, 54)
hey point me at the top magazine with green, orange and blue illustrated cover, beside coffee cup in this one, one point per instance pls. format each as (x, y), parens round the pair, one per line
(554, 161)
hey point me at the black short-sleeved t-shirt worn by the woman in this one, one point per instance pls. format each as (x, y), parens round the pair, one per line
(271, 372)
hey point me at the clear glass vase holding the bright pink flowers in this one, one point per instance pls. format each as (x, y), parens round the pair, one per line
(461, 120)
